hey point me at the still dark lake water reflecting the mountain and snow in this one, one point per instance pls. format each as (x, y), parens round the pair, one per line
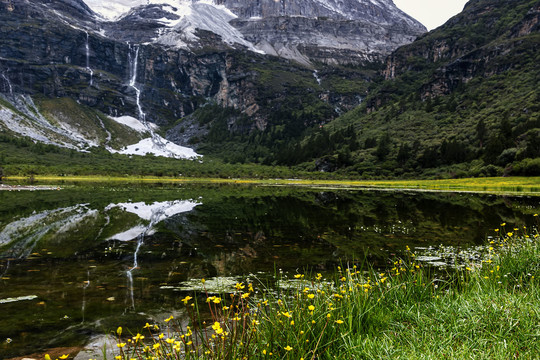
(81, 261)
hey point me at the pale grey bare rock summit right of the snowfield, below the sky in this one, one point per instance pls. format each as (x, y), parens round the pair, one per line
(325, 31)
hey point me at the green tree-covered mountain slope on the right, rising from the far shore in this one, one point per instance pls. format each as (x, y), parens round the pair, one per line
(461, 100)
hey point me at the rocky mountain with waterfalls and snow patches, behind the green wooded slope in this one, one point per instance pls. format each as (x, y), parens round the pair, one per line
(130, 76)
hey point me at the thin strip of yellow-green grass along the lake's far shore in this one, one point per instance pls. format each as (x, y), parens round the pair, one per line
(510, 185)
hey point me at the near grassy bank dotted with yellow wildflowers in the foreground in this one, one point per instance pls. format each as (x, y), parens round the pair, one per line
(488, 308)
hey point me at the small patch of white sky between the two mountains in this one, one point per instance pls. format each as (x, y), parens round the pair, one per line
(431, 13)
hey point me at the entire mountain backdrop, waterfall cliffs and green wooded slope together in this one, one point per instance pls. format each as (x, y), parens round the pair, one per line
(163, 78)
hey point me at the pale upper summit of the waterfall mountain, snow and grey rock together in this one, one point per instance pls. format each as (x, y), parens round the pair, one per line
(352, 31)
